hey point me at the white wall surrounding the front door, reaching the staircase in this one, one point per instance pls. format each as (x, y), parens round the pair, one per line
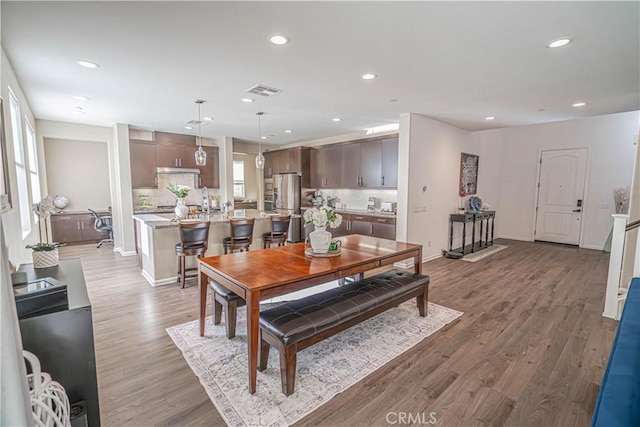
(509, 170)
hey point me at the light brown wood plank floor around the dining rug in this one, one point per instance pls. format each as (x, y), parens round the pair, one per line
(530, 348)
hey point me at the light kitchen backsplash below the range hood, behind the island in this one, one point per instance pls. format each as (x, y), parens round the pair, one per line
(162, 197)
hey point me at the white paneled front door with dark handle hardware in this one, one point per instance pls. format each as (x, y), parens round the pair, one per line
(561, 196)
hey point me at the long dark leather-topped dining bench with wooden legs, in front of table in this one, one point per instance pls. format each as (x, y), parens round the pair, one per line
(296, 325)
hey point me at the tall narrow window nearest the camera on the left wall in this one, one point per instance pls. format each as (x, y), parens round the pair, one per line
(21, 167)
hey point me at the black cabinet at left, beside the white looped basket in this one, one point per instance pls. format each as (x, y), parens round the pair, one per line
(63, 341)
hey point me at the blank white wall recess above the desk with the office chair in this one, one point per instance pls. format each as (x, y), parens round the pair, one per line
(80, 171)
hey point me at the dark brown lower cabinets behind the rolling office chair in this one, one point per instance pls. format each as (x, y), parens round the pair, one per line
(76, 228)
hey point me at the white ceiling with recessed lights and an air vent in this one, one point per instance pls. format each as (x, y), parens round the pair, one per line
(457, 62)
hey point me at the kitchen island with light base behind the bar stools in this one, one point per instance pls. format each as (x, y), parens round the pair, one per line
(157, 235)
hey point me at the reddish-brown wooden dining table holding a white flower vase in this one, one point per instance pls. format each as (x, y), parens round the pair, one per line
(263, 274)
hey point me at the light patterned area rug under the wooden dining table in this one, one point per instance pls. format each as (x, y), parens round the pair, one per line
(323, 370)
